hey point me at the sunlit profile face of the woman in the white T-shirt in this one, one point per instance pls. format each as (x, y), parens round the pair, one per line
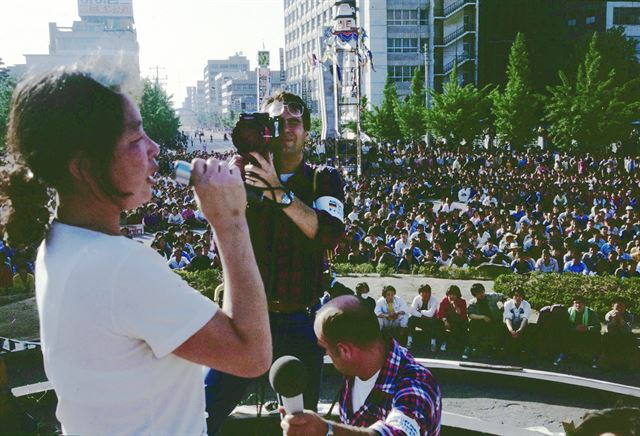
(133, 166)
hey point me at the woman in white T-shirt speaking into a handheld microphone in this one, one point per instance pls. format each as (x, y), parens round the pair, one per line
(123, 337)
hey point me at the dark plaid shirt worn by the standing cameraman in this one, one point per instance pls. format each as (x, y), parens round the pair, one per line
(291, 264)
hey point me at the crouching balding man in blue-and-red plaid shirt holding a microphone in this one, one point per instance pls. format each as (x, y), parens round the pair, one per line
(386, 392)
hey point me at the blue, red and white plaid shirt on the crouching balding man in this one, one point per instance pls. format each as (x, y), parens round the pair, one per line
(403, 385)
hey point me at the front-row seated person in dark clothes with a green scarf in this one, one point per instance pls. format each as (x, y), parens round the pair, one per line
(583, 335)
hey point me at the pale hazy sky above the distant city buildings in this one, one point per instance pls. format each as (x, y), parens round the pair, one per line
(176, 36)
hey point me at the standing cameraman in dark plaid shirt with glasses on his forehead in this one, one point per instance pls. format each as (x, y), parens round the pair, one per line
(300, 218)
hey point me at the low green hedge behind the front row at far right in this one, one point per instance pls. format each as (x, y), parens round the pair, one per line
(545, 289)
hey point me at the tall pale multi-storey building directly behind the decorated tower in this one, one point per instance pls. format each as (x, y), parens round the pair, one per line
(400, 33)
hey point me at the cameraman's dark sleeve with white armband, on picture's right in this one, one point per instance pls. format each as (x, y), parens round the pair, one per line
(329, 207)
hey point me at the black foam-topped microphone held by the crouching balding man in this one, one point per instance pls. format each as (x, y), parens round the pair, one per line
(288, 377)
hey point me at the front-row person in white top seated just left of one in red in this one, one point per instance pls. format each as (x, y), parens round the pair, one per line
(423, 315)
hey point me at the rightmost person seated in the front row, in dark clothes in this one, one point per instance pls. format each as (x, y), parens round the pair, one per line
(618, 343)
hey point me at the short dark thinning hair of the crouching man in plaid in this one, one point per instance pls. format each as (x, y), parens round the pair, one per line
(347, 319)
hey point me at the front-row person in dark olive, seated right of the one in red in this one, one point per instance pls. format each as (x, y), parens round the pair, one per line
(485, 320)
